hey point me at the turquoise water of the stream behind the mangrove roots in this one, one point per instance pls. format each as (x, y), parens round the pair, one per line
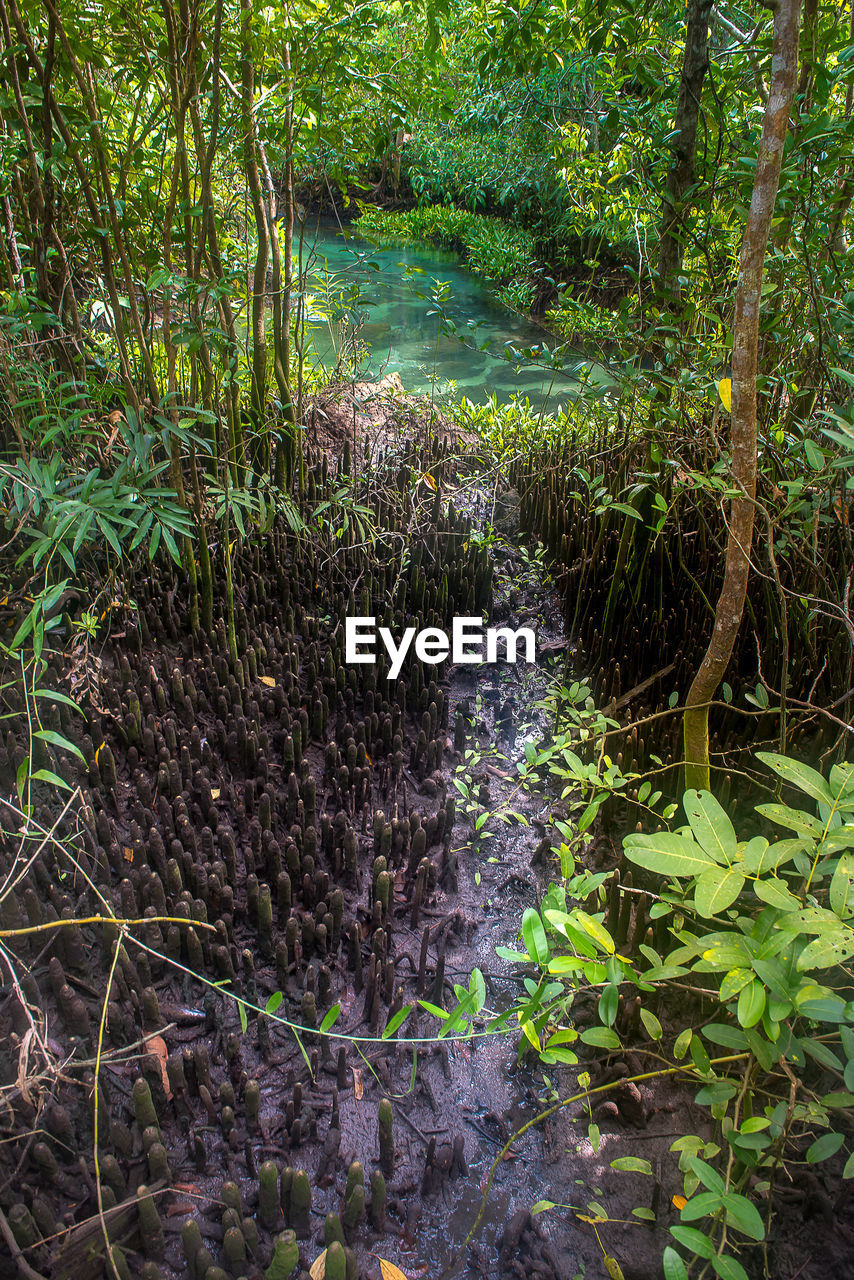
(387, 300)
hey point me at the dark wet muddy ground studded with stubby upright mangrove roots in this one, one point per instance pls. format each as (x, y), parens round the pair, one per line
(258, 802)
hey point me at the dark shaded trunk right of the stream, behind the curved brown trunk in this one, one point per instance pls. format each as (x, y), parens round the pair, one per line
(681, 180)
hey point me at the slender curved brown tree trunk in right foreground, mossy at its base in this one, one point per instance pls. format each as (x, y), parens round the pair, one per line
(743, 431)
